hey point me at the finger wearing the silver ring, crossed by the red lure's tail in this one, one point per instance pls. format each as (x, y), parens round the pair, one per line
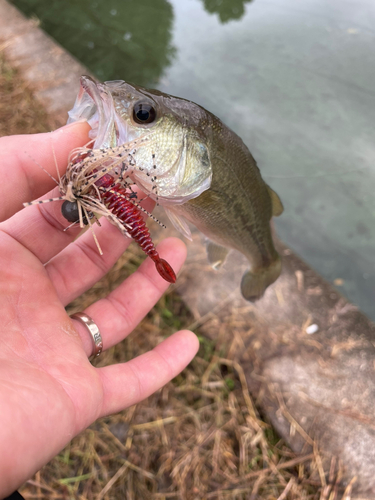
(119, 313)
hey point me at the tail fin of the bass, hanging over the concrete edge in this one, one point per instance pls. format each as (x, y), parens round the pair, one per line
(254, 284)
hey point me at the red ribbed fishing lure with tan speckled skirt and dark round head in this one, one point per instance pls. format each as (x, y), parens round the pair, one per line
(95, 185)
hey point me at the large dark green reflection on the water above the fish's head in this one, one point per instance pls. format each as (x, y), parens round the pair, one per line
(115, 39)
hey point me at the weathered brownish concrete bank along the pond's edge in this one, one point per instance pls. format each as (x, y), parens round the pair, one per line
(307, 353)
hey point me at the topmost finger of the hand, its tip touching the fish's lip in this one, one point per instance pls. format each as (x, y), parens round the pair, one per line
(22, 179)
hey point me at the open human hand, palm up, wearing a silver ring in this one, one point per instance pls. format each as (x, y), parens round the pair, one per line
(49, 391)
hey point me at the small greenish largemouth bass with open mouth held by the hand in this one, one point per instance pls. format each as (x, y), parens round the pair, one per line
(193, 165)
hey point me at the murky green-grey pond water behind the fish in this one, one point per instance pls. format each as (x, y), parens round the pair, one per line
(294, 79)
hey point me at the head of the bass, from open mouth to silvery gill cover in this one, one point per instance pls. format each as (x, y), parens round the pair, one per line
(163, 156)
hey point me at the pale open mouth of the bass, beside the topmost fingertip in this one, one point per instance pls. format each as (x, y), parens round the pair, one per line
(94, 104)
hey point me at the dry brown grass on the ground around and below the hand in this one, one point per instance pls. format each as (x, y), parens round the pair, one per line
(200, 437)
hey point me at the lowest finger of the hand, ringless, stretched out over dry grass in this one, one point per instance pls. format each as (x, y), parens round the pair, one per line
(129, 383)
